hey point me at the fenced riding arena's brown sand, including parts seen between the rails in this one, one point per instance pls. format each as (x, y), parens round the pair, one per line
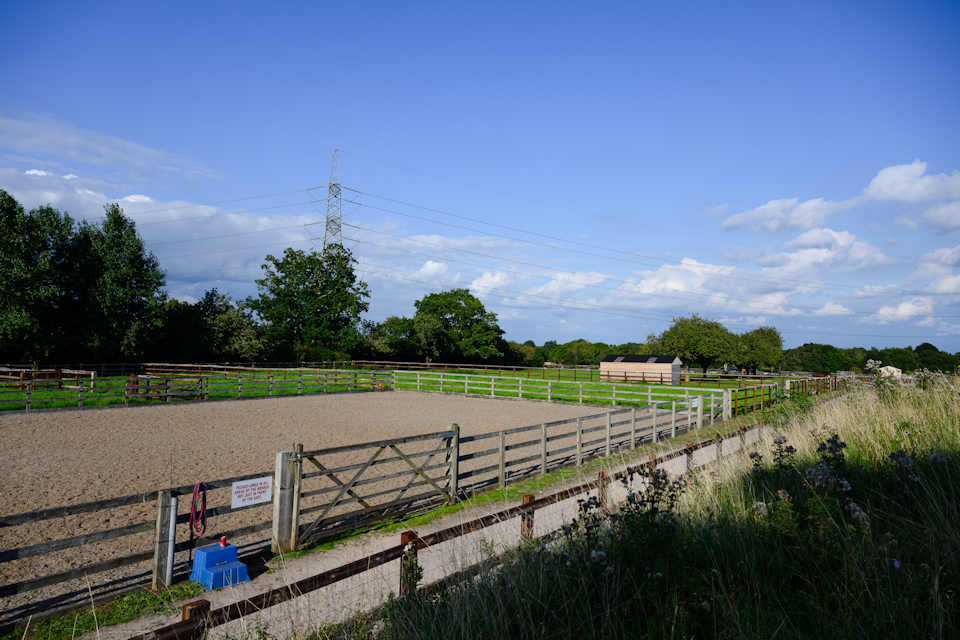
(55, 461)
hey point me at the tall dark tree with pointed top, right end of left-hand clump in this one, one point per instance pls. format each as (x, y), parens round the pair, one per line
(119, 285)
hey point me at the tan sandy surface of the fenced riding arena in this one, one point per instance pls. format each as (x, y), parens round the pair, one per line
(65, 457)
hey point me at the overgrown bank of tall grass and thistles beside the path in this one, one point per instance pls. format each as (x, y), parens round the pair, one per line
(845, 524)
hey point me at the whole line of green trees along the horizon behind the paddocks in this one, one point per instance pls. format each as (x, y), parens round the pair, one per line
(75, 292)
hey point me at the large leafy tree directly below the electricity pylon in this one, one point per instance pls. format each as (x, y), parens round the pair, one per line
(311, 302)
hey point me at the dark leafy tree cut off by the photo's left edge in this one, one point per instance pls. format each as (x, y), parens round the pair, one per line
(35, 263)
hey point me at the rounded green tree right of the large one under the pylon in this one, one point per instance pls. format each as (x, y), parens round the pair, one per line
(454, 326)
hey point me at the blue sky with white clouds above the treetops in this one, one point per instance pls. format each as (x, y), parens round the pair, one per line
(587, 171)
